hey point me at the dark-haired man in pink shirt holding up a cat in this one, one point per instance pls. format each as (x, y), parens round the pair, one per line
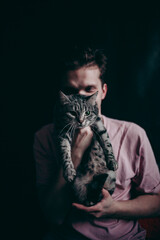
(137, 192)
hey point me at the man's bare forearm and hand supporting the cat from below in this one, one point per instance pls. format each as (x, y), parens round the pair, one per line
(141, 206)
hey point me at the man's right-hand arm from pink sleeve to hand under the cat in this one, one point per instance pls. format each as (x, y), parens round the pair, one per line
(146, 182)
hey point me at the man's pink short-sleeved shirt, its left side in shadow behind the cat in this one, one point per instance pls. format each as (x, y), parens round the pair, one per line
(137, 169)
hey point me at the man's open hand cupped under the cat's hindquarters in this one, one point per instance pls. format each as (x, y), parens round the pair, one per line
(105, 208)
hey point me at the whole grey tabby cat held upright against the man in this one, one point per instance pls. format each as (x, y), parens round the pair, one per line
(98, 165)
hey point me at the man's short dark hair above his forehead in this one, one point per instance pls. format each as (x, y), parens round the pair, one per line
(78, 57)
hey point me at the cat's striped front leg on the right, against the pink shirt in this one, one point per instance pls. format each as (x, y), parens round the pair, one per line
(105, 143)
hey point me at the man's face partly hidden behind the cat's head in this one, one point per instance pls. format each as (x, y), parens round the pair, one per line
(86, 81)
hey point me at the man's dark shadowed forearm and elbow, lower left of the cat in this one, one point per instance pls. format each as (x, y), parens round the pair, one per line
(55, 199)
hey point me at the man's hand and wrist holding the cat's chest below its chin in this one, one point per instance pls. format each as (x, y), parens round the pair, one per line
(81, 142)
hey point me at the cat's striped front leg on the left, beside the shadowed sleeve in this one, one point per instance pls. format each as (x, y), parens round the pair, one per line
(69, 172)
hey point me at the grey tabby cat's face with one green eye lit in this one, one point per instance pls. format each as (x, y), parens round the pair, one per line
(80, 110)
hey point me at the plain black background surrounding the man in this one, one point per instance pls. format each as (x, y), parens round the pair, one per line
(32, 35)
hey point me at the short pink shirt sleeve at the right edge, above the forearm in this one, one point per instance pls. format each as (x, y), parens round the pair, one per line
(147, 179)
